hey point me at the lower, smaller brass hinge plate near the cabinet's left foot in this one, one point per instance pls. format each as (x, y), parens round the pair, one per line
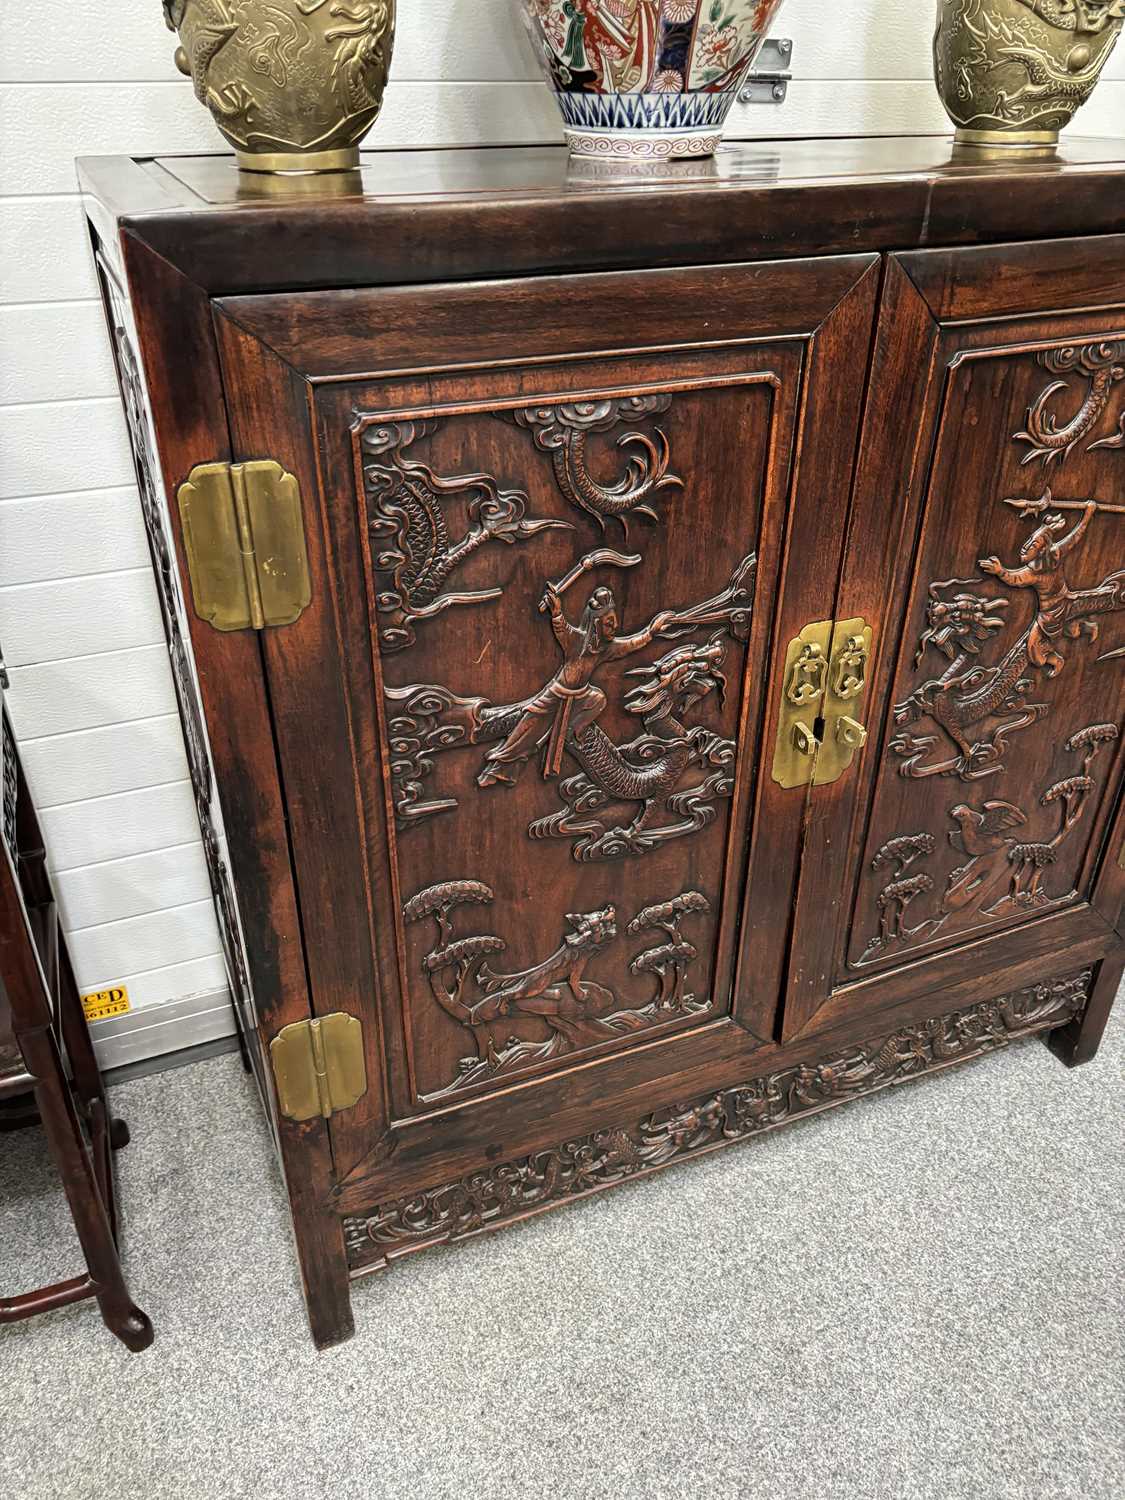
(319, 1067)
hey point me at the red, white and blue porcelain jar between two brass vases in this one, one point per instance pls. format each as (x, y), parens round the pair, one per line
(647, 79)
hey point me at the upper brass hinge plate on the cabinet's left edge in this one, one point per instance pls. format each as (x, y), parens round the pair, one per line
(245, 541)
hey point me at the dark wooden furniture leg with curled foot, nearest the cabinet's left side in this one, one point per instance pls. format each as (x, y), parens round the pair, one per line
(80, 1181)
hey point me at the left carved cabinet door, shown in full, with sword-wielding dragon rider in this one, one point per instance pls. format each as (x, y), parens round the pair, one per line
(559, 533)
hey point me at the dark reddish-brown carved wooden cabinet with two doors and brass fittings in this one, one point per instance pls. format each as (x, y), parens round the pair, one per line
(688, 677)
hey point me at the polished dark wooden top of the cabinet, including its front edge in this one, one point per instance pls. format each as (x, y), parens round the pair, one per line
(451, 214)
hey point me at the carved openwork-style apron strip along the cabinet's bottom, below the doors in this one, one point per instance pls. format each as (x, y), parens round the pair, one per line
(484, 1201)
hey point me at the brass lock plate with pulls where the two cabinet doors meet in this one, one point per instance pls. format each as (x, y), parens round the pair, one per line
(818, 725)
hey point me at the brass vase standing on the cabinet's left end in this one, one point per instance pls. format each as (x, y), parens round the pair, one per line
(293, 85)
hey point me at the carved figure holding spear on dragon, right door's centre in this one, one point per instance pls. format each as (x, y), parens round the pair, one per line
(980, 707)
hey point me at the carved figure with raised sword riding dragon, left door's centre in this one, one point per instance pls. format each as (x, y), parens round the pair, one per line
(560, 721)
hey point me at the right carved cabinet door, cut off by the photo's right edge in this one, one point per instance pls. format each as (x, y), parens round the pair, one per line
(986, 551)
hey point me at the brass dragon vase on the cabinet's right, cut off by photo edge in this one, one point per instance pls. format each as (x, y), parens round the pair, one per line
(1013, 73)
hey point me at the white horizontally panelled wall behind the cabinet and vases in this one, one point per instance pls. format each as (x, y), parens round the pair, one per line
(91, 700)
